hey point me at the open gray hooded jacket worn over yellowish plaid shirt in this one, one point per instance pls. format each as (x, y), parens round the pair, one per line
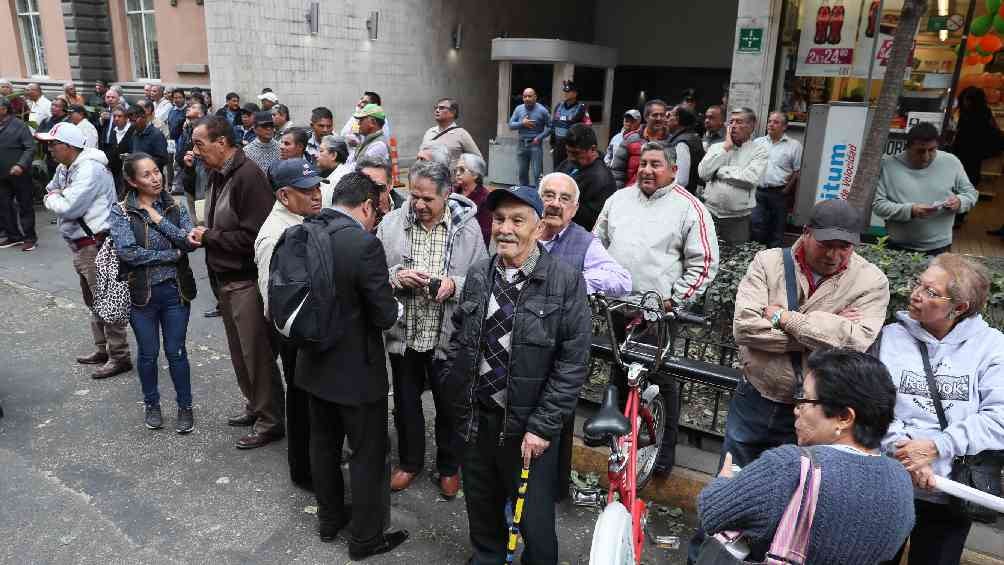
(465, 246)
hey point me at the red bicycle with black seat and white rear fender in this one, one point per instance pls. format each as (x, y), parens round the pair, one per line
(635, 437)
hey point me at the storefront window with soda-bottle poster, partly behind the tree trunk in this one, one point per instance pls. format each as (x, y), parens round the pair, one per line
(827, 51)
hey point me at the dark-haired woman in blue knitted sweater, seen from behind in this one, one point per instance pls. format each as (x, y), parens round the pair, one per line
(865, 508)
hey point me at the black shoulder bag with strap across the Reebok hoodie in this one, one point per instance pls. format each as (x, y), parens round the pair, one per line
(981, 471)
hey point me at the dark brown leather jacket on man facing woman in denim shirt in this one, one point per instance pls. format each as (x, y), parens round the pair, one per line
(240, 199)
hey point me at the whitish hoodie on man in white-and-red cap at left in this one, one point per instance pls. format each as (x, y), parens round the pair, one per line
(84, 190)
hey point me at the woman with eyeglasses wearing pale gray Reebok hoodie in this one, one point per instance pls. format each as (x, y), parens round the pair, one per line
(967, 360)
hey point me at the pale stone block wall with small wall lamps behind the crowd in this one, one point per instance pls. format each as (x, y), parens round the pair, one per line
(258, 44)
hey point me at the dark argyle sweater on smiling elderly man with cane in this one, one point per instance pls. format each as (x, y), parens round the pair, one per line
(496, 339)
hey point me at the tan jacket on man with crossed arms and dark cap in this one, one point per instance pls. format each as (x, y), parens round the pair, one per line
(816, 325)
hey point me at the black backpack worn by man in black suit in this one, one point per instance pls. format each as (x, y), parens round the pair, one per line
(303, 300)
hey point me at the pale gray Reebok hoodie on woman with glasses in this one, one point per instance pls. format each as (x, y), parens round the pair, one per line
(969, 368)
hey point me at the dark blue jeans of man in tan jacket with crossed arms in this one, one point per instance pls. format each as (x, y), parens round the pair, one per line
(755, 426)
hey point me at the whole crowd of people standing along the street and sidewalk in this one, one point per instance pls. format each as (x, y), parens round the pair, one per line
(481, 297)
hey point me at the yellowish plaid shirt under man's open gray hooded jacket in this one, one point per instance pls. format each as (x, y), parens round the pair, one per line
(423, 316)
